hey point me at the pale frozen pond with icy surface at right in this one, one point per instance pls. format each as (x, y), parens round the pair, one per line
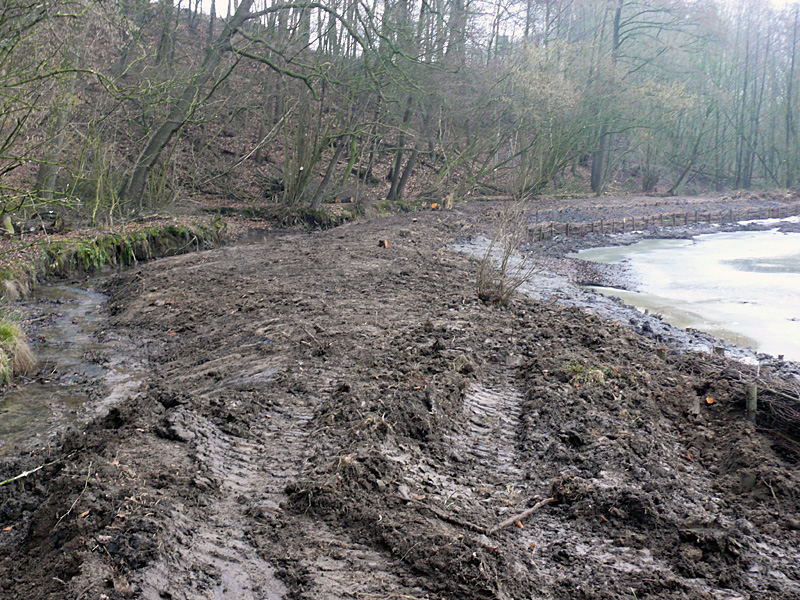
(742, 287)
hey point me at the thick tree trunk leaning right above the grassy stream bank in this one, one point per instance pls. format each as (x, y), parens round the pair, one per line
(182, 109)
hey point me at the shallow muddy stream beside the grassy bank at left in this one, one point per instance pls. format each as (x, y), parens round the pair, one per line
(71, 361)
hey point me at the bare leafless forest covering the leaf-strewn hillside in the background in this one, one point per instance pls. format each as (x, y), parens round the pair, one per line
(121, 107)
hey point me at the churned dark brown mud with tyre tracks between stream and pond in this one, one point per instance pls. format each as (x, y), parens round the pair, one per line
(322, 418)
